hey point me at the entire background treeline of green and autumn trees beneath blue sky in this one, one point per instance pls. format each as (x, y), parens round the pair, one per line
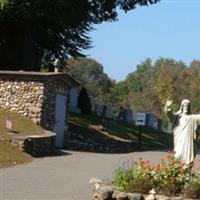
(144, 90)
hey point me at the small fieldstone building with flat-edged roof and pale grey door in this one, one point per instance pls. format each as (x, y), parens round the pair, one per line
(41, 96)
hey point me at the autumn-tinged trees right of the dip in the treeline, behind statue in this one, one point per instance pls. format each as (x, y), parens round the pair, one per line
(149, 86)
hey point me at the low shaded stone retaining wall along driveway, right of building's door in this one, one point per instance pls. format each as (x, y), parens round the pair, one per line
(80, 138)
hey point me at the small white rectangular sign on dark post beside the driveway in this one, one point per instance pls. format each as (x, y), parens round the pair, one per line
(140, 121)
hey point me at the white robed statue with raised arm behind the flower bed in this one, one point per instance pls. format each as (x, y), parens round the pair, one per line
(185, 126)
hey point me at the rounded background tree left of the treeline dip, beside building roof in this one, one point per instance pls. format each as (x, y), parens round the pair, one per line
(90, 74)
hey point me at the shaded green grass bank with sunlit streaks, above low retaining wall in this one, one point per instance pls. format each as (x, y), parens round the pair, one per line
(92, 124)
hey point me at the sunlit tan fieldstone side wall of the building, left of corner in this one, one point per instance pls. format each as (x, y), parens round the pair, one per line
(23, 97)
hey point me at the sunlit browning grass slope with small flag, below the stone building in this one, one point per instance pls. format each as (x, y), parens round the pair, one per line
(10, 155)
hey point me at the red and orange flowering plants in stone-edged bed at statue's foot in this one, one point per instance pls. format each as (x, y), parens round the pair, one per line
(170, 177)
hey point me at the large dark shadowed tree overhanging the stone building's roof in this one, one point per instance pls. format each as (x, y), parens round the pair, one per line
(35, 32)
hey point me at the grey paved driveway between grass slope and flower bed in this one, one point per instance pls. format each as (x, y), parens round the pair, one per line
(63, 177)
